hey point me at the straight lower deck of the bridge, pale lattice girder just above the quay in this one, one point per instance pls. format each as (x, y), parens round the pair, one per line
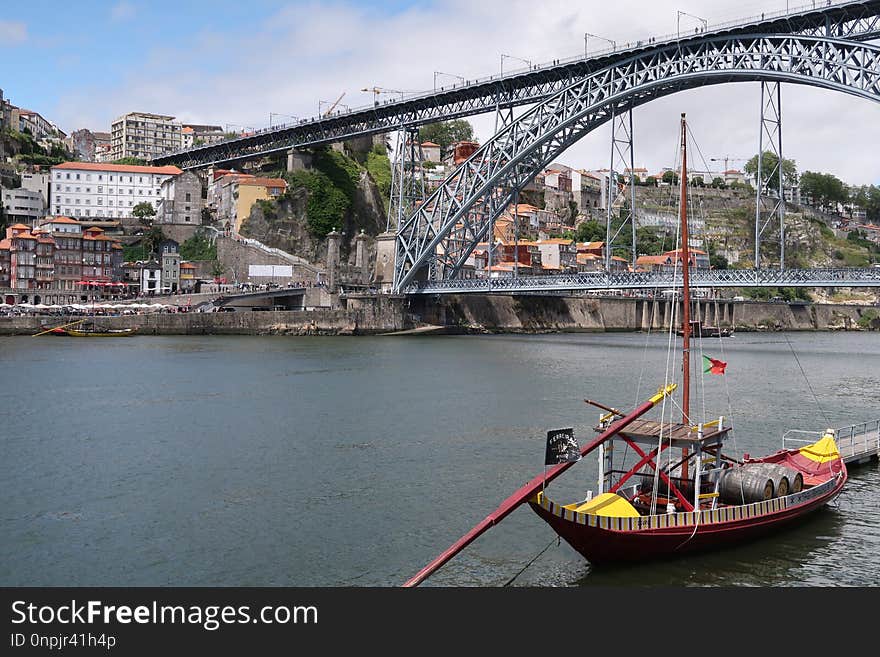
(600, 280)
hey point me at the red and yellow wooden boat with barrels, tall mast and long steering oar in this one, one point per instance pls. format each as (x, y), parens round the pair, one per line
(667, 488)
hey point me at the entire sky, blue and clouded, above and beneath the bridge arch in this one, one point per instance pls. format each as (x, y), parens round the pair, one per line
(246, 64)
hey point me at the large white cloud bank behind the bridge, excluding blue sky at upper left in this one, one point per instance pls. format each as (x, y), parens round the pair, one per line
(307, 53)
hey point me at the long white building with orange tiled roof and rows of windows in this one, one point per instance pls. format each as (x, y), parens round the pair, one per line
(96, 189)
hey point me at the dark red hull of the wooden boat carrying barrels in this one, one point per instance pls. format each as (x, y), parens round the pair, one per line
(600, 545)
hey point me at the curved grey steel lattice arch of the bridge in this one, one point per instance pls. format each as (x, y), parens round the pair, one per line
(447, 227)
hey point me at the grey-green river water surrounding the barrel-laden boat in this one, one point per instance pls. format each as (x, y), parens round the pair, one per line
(309, 461)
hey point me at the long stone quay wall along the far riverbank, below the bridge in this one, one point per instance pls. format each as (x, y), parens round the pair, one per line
(370, 315)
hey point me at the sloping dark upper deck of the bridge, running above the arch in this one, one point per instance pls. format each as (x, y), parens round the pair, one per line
(854, 21)
